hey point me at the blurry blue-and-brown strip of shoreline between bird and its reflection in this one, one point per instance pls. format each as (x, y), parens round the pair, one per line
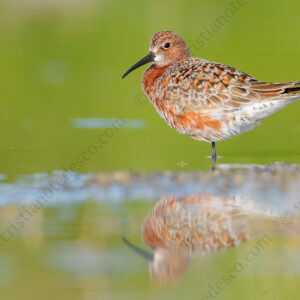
(272, 188)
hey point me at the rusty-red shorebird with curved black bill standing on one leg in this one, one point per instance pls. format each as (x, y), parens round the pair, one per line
(206, 100)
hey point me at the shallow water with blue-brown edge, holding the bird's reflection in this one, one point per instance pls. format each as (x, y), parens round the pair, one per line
(65, 232)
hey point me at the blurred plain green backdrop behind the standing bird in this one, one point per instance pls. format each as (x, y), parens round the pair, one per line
(62, 60)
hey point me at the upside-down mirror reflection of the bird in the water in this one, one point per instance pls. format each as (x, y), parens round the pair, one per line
(179, 229)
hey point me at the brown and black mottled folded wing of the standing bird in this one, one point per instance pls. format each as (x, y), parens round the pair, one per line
(204, 84)
